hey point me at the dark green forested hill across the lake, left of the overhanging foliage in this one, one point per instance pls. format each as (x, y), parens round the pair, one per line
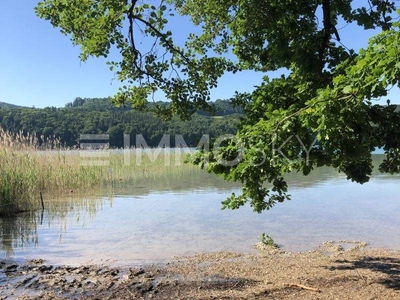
(99, 116)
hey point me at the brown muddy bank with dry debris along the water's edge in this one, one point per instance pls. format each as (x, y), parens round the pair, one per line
(332, 271)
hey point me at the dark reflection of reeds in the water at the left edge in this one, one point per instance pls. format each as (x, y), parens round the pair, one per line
(18, 232)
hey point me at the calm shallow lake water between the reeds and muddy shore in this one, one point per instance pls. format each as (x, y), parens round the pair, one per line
(156, 219)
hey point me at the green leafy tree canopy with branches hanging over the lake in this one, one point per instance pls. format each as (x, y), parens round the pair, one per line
(321, 111)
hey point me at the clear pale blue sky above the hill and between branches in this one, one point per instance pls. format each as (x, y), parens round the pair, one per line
(40, 67)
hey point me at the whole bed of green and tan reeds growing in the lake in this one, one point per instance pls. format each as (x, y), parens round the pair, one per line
(31, 165)
